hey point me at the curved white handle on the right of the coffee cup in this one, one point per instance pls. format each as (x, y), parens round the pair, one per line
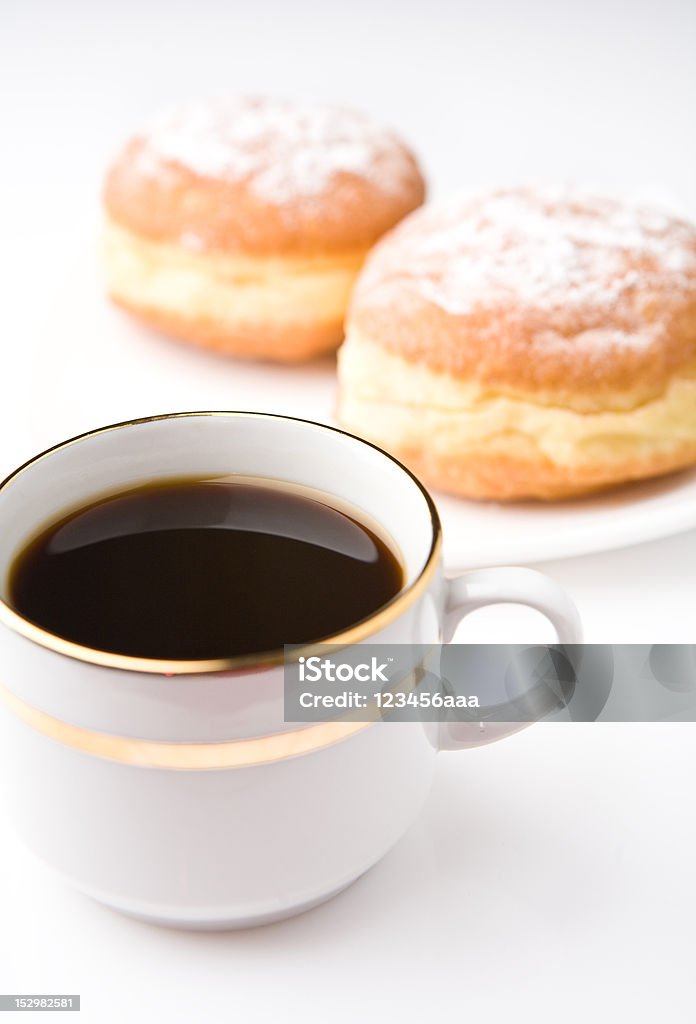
(508, 585)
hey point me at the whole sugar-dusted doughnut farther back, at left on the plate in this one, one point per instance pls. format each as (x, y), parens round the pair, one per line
(241, 225)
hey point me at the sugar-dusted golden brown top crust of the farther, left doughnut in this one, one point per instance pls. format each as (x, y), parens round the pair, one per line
(264, 178)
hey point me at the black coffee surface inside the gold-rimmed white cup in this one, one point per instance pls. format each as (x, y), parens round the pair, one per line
(202, 570)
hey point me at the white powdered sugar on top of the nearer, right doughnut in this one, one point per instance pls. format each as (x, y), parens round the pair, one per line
(598, 265)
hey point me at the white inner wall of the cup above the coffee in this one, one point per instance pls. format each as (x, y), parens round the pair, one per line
(212, 446)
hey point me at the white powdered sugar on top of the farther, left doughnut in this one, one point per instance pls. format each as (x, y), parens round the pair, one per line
(281, 150)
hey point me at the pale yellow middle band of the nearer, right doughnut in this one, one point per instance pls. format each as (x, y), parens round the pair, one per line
(410, 407)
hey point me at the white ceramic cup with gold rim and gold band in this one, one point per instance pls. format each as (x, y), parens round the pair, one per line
(175, 791)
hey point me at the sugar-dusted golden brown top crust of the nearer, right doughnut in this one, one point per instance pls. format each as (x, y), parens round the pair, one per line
(533, 291)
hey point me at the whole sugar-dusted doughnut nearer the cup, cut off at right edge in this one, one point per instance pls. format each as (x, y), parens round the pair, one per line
(528, 344)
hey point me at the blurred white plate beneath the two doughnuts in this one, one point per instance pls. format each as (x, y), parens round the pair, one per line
(96, 366)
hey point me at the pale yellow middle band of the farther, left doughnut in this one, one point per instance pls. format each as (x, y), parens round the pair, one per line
(227, 291)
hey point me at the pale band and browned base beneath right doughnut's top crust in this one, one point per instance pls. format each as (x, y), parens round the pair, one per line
(487, 445)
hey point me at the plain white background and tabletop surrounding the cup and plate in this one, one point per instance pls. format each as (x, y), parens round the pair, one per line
(552, 876)
